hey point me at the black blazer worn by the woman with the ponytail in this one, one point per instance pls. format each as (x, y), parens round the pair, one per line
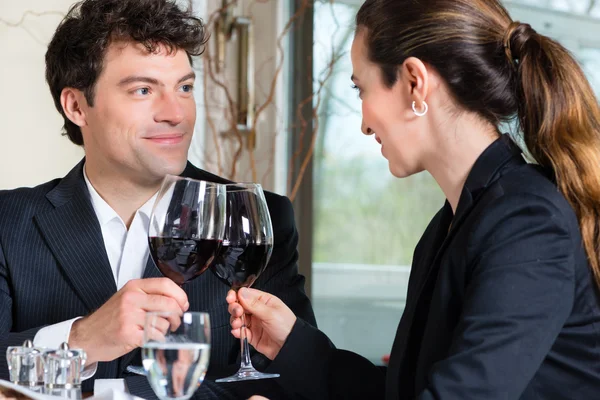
(501, 305)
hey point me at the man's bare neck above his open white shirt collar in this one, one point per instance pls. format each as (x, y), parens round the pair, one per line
(121, 193)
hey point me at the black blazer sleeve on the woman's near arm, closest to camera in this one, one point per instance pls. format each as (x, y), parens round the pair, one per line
(519, 294)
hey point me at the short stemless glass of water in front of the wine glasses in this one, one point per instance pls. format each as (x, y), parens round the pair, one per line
(176, 352)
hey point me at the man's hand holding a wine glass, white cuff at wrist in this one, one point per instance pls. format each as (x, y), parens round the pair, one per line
(117, 327)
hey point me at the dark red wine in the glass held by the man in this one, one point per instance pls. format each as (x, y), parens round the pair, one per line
(182, 260)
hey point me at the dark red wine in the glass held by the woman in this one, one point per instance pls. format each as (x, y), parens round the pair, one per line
(241, 265)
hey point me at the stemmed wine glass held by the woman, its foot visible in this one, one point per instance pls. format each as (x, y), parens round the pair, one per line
(244, 254)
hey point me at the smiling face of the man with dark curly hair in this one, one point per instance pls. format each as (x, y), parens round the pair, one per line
(143, 116)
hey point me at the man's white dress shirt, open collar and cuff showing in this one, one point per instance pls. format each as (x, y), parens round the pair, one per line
(127, 252)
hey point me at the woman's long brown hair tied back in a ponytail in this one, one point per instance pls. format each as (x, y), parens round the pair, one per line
(502, 69)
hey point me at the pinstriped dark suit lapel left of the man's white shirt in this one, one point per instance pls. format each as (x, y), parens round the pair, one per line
(72, 232)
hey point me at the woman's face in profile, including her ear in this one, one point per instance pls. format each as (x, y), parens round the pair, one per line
(387, 112)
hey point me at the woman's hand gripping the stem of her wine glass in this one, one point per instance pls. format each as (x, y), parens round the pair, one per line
(268, 320)
